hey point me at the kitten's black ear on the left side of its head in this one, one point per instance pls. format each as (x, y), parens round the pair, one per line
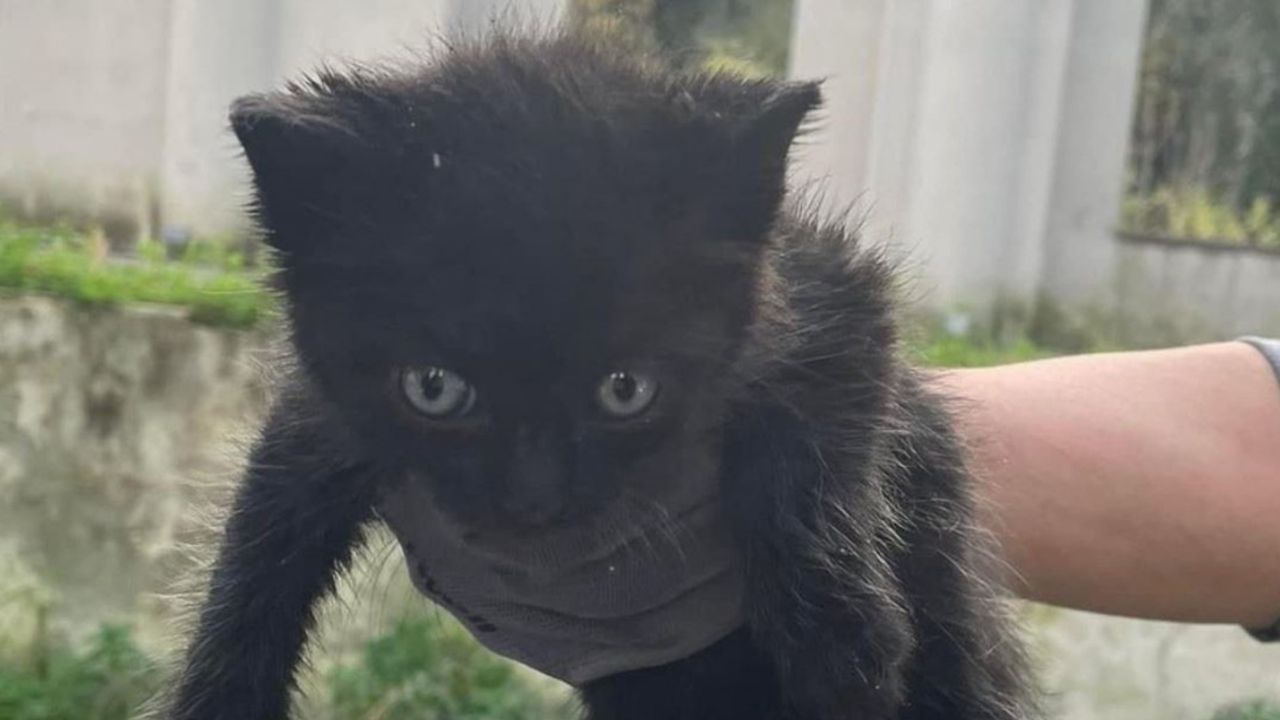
(303, 154)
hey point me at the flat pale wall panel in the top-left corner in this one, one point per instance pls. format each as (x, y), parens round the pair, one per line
(83, 89)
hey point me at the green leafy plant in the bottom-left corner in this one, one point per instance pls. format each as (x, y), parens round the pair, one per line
(108, 681)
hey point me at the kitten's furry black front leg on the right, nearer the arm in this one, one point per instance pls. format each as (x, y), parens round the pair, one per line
(822, 599)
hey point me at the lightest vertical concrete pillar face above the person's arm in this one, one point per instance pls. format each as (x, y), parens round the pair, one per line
(971, 143)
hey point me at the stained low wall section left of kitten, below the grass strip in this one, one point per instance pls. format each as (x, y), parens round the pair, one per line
(107, 420)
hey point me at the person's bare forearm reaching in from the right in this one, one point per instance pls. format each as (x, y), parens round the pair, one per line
(1133, 484)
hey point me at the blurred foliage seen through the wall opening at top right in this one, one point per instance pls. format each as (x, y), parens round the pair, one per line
(1208, 112)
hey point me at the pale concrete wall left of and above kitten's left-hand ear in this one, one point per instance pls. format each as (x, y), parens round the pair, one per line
(118, 110)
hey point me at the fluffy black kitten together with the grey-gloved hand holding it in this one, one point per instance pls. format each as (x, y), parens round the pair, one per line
(546, 303)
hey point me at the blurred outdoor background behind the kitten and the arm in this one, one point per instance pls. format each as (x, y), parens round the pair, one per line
(1064, 176)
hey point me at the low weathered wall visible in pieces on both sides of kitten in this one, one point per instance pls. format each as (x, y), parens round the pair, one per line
(107, 416)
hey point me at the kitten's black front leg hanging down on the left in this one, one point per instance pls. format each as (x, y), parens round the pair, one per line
(296, 518)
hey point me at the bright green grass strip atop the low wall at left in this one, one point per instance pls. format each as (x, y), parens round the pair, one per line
(209, 281)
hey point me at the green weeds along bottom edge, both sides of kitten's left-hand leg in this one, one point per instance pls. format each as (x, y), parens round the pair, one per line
(423, 669)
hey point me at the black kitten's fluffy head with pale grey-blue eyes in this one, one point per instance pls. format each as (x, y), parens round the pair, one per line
(523, 275)
